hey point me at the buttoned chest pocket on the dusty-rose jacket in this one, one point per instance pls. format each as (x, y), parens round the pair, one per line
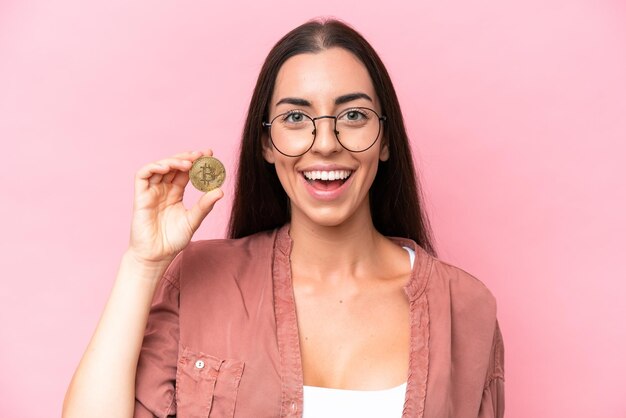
(206, 386)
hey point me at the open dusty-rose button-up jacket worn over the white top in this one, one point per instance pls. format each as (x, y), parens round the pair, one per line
(222, 337)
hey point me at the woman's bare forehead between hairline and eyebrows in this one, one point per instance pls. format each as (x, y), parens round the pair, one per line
(321, 77)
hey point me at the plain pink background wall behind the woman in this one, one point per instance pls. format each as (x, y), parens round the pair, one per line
(516, 110)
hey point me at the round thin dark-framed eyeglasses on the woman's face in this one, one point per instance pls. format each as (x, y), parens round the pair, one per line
(293, 133)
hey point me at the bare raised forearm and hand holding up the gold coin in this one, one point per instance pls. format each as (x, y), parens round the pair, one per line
(161, 227)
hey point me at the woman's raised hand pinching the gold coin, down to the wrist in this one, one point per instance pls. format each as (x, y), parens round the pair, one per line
(161, 225)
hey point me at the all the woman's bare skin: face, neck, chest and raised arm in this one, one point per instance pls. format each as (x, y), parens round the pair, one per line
(352, 311)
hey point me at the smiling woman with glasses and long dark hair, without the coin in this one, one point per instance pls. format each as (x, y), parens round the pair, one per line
(310, 308)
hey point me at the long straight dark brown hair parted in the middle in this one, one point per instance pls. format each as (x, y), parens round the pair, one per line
(260, 202)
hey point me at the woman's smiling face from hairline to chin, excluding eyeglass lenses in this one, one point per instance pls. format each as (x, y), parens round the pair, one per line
(325, 83)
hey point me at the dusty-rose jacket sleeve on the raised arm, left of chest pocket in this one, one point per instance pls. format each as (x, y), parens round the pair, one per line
(155, 382)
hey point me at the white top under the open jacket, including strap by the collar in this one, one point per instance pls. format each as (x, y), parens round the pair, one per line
(329, 403)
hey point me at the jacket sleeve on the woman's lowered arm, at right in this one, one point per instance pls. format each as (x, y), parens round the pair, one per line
(492, 404)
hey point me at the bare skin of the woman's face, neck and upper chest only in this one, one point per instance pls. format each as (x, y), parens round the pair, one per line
(348, 279)
